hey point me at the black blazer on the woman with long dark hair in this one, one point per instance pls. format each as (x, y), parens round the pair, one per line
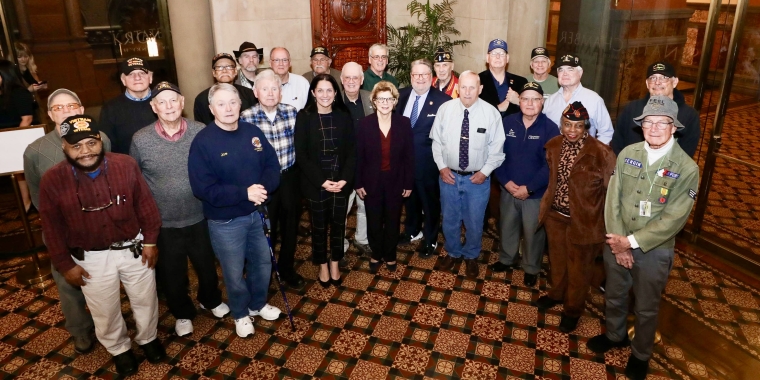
(307, 151)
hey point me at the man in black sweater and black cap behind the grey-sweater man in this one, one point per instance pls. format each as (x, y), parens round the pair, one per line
(125, 114)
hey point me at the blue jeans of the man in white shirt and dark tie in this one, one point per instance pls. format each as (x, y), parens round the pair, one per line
(464, 202)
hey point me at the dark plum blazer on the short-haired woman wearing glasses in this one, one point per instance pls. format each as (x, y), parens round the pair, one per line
(369, 154)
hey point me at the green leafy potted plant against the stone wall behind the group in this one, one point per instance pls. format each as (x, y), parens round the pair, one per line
(434, 28)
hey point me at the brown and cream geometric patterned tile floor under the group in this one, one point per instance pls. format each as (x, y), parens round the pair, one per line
(416, 323)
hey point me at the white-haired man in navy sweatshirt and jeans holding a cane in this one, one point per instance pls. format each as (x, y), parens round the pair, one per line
(232, 168)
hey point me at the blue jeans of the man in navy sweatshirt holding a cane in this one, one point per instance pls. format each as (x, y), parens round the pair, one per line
(240, 243)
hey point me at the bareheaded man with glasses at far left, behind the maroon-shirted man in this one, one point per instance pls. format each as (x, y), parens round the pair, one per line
(39, 156)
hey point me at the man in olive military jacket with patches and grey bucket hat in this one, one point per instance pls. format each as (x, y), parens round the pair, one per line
(649, 199)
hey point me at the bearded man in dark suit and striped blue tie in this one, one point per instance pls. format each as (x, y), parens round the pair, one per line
(420, 104)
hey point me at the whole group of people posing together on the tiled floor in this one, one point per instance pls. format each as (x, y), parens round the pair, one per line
(143, 180)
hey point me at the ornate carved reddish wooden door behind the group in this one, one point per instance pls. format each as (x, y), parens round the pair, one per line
(348, 28)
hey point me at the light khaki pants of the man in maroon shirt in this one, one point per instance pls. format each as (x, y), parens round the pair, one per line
(107, 270)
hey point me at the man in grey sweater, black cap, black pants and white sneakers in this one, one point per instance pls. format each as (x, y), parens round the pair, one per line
(161, 150)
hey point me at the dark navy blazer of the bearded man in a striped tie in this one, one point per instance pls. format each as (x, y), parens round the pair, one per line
(425, 167)
